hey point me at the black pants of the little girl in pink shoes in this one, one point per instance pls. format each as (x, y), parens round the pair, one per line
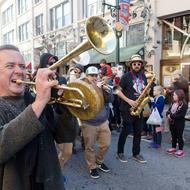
(177, 136)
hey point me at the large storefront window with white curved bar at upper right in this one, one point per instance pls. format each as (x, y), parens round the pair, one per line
(175, 36)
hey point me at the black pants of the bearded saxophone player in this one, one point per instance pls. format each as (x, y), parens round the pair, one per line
(130, 125)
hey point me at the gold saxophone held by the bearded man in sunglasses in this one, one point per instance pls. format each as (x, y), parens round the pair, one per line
(143, 99)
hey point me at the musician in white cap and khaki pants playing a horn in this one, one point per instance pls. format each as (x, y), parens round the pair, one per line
(96, 129)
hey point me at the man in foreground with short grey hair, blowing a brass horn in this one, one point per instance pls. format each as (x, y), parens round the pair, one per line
(28, 128)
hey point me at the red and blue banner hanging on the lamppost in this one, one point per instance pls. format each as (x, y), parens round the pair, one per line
(124, 13)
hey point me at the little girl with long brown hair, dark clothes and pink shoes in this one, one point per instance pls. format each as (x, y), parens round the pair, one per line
(176, 117)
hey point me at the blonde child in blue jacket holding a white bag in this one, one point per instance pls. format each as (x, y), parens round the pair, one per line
(158, 102)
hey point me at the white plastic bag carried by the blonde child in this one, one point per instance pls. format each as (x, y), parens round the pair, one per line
(154, 118)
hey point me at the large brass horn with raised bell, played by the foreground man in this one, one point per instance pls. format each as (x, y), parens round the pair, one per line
(83, 99)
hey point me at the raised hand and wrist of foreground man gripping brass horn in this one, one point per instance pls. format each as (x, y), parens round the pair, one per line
(43, 89)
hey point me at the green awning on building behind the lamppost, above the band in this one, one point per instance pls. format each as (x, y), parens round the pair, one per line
(125, 54)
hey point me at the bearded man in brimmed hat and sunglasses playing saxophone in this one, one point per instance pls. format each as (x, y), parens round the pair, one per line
(130, 87)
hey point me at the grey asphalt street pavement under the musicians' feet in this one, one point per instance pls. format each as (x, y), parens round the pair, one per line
(162, 171)
